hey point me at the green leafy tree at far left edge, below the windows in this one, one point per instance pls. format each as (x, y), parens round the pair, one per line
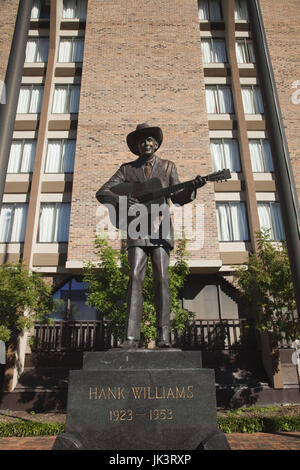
(24, 298)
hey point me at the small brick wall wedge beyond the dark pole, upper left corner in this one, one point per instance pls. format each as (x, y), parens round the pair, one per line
(8, 9)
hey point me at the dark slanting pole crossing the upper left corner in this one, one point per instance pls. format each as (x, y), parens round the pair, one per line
(12, 82)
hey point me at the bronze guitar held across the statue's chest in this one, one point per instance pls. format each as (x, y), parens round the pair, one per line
(152, 192)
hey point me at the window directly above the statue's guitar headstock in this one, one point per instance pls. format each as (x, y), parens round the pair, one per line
(225, 154)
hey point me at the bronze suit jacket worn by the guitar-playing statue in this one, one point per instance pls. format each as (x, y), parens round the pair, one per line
(132, 172)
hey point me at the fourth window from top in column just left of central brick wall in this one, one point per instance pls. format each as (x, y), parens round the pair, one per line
(60, 156)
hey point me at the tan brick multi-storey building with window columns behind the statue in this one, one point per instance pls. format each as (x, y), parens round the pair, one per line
(92, 71)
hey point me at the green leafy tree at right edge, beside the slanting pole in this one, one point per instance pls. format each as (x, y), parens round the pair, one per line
(267, 289)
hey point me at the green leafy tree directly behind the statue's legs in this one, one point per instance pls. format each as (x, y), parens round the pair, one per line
(107, 289)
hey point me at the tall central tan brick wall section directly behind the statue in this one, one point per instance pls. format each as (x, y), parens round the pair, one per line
(142, 63)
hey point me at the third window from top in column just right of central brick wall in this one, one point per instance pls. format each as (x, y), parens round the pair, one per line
(219, 99)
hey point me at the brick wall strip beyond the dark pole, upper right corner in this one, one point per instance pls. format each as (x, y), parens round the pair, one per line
(281, 20)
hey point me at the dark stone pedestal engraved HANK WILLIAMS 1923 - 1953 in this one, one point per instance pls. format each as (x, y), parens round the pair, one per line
(142, 400)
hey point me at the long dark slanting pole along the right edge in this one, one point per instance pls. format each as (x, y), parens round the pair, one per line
(282, 165)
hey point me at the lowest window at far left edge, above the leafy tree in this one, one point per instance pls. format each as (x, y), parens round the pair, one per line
(13, 223)
